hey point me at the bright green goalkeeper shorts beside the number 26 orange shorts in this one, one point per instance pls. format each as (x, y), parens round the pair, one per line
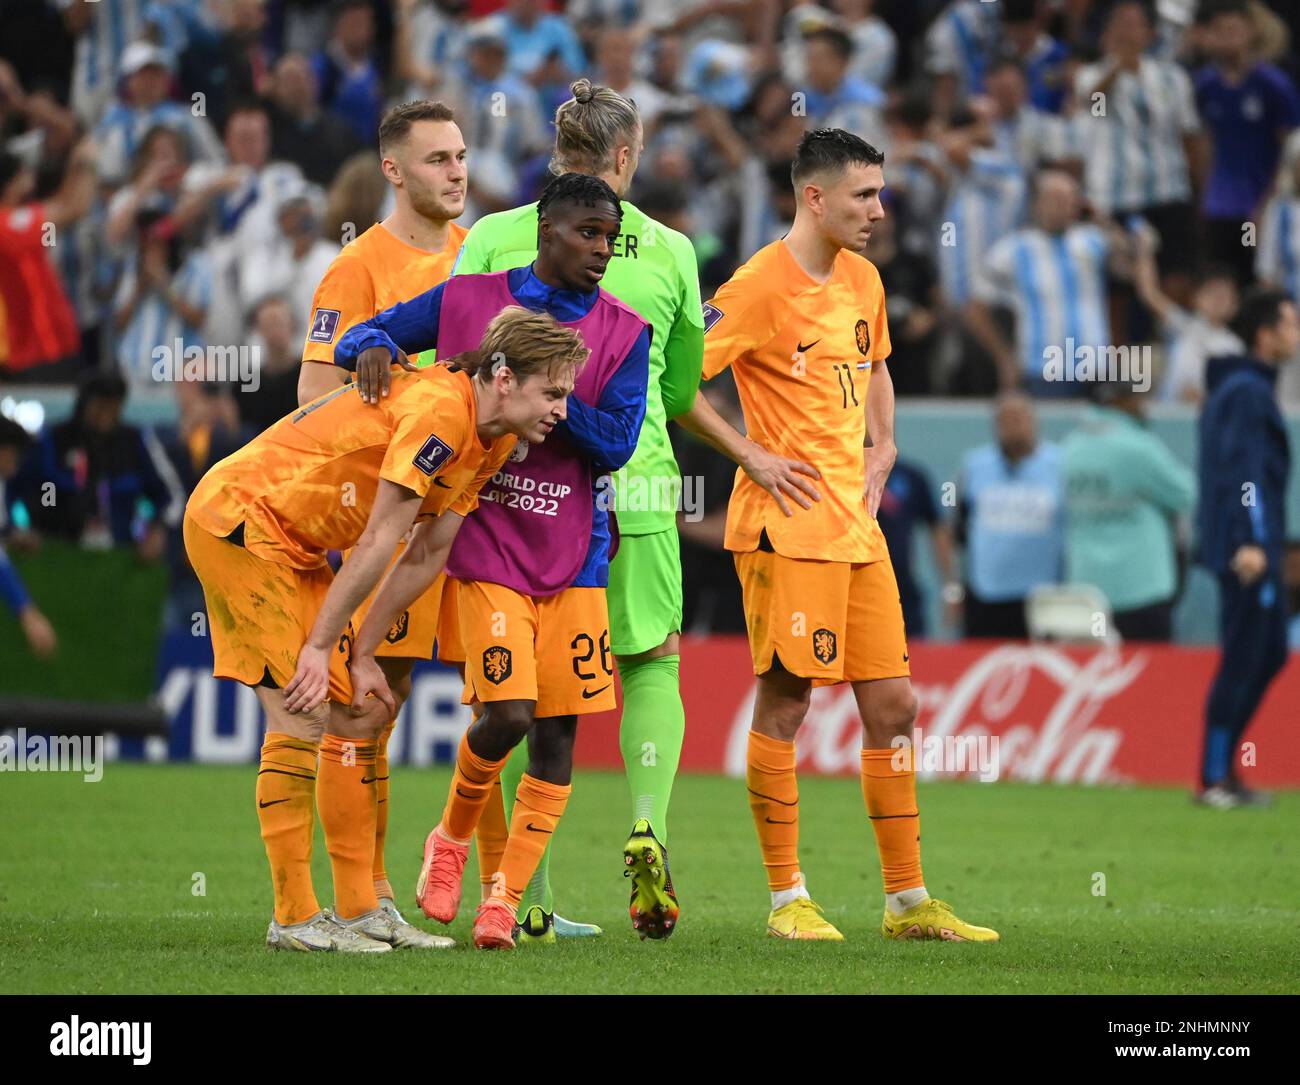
(645, 592)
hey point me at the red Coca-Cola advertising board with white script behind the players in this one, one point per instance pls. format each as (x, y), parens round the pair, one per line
(996, 711)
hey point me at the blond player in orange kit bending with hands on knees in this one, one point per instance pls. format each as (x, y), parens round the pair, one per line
(336, 475)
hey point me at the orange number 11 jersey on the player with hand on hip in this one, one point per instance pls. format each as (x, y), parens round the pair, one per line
(801, 353)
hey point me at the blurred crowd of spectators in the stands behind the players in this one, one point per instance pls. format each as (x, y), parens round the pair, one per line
(180, 173)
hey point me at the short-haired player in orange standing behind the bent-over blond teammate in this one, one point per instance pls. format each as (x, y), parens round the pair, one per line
(423, 158)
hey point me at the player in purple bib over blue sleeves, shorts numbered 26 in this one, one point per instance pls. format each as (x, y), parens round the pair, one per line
(527, 578)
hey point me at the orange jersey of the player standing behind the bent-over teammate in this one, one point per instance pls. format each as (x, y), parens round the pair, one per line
(372, 274)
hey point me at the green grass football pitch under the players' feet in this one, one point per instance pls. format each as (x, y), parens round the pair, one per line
(98, 893)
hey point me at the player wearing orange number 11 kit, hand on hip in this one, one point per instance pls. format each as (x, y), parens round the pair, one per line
(803, 325)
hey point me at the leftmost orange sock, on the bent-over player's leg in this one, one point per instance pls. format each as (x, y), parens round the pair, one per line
(287, 788)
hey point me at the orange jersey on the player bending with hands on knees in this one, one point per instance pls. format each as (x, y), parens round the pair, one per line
(307, 485)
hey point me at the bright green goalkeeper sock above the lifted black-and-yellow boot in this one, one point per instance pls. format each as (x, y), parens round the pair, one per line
(651, 736)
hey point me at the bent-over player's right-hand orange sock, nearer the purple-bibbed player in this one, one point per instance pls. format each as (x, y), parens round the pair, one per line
(346, 800)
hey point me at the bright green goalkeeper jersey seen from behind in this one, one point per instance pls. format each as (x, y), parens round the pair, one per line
(653, 271)
